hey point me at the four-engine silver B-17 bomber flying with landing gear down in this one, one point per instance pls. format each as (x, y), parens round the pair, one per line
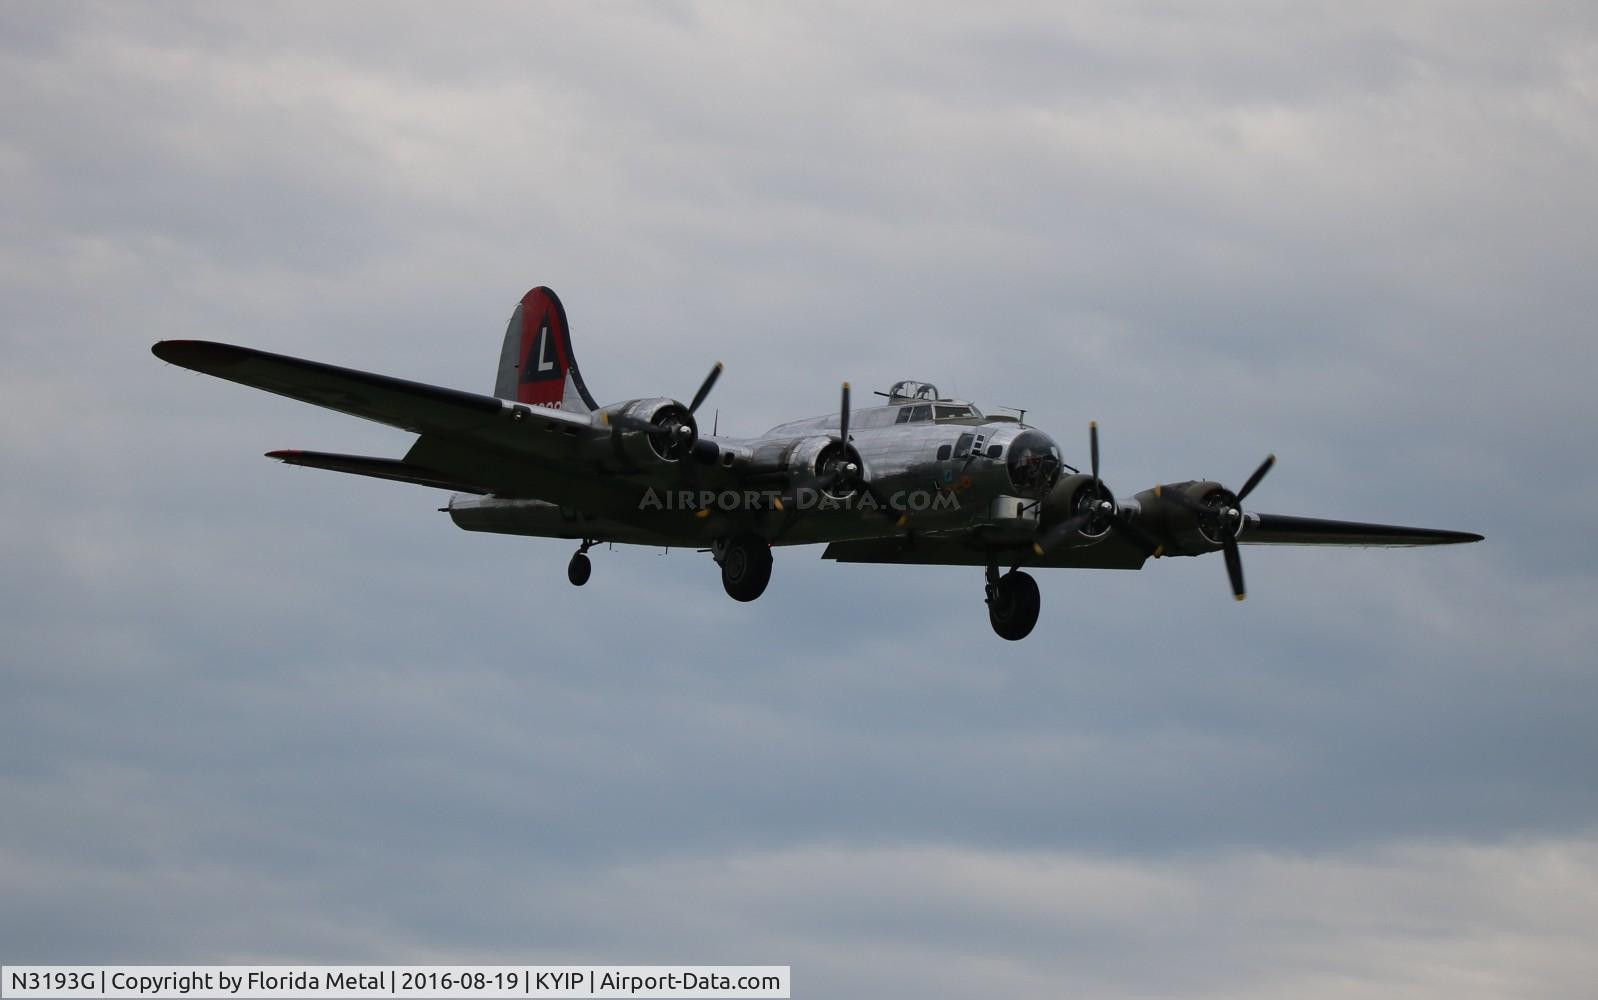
(913, 480)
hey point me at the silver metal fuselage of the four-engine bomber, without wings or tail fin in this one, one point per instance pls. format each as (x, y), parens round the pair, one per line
(940, 477)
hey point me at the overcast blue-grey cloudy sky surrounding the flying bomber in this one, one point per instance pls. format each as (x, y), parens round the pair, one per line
(255, 713)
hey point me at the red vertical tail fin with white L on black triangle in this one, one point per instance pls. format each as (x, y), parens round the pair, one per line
(538, 365)
